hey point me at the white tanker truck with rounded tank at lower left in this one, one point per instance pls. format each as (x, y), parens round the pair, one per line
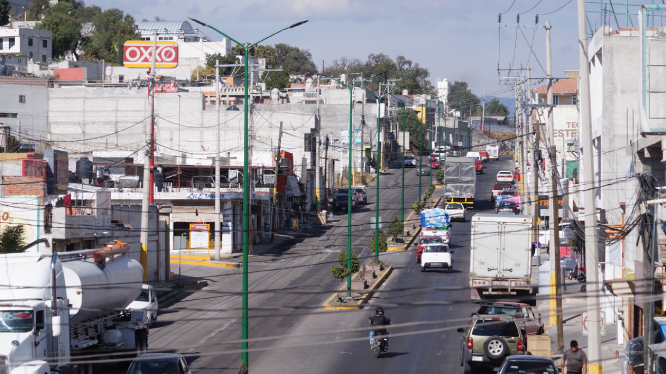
(61, 312)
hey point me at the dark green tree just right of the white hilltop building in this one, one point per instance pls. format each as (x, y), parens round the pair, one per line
(65, 28)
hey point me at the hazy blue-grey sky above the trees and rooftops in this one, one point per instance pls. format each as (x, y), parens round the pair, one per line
(454, 39)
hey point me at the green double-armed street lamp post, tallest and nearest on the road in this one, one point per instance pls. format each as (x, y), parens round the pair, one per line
(246, 179)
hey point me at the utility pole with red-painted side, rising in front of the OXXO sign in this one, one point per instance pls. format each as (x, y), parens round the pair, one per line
(148, 167)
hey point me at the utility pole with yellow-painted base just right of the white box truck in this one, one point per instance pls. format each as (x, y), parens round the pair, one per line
(554, 244)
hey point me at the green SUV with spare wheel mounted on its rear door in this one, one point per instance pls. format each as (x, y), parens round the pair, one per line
(488, 339)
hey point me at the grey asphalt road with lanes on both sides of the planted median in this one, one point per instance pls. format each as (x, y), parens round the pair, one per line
(292, 332)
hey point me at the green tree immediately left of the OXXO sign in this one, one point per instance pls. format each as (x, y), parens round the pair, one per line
(112, 29)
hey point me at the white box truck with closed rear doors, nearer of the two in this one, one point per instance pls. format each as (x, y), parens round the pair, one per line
(500, 255)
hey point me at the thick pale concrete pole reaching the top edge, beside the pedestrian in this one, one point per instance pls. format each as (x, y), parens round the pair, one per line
(591, 257)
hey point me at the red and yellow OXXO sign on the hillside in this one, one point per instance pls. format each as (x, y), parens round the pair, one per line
(137, 54)
